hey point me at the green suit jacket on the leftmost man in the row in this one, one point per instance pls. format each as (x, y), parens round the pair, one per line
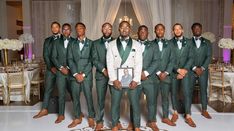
(47, 51)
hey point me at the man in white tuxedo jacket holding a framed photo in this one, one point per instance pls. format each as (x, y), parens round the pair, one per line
(124, 52)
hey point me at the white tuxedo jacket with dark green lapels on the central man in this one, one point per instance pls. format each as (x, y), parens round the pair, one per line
(134, 61)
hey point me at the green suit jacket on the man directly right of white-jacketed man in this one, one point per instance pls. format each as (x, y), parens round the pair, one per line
(150, 60)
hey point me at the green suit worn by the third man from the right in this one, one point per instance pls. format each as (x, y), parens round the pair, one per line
(167, 61)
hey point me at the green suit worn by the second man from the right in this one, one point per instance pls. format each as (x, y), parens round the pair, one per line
(184, 59)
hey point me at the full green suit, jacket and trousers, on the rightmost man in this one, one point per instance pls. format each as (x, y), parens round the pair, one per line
(203, 57)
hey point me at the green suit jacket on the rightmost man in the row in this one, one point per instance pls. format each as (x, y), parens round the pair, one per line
(202, 54)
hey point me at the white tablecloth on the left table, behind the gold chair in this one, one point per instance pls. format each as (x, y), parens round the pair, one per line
(28, 74)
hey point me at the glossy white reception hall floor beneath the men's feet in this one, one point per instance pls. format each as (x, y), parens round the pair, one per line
(19, 118)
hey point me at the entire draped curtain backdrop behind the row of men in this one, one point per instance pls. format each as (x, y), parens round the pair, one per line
(149, 12)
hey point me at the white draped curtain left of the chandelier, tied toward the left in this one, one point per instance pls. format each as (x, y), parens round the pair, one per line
(94, 13)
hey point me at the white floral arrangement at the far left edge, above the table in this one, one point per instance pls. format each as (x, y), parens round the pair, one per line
(12, 44)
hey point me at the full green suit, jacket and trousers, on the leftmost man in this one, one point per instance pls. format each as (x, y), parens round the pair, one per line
(50, 78)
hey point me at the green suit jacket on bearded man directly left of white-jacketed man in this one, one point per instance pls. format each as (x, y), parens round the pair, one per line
(99, 57)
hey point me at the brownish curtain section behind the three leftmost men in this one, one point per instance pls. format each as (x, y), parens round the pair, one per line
(45, 12)
